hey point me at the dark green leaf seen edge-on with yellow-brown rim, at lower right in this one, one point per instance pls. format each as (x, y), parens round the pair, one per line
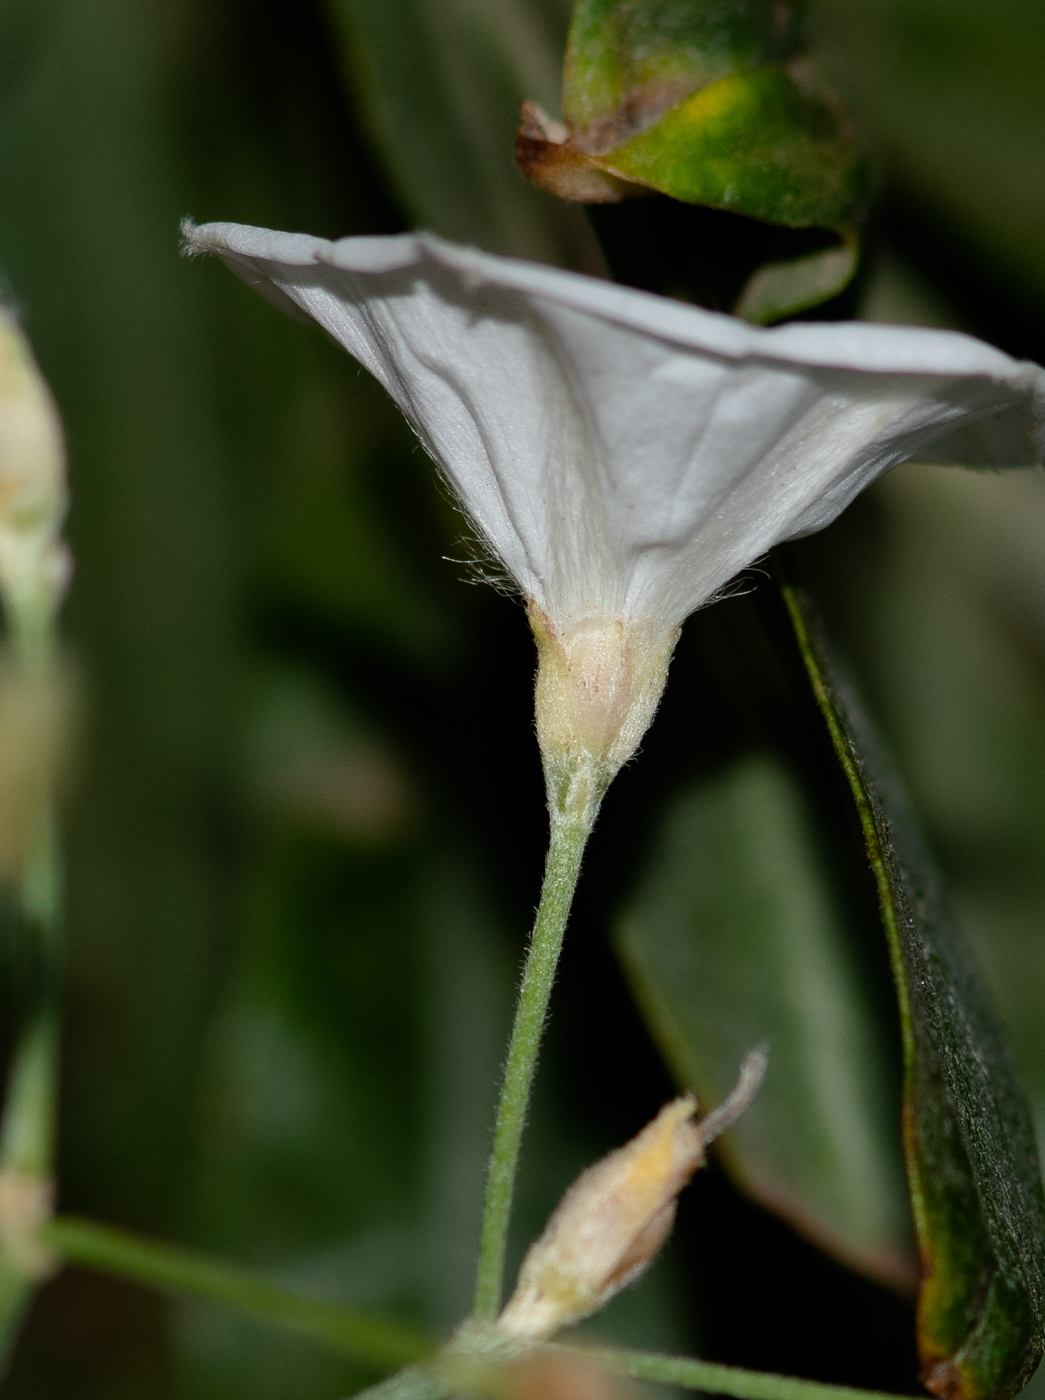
(973, 1167)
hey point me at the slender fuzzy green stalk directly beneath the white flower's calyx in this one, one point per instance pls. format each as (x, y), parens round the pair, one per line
(569, 836)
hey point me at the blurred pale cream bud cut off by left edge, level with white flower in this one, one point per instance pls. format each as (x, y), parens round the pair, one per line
(34, 563)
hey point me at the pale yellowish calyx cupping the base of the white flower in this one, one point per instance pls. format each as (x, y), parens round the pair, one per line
(599, 684)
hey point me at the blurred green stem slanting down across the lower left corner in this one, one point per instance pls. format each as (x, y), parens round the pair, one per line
(376, 1342)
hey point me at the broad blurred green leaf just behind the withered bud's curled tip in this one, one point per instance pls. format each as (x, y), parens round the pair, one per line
(736, 936)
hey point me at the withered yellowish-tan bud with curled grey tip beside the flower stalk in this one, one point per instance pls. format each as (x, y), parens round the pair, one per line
(616, 1217)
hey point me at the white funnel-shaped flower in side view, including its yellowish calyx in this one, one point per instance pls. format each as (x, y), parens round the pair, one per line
(625, 456)
